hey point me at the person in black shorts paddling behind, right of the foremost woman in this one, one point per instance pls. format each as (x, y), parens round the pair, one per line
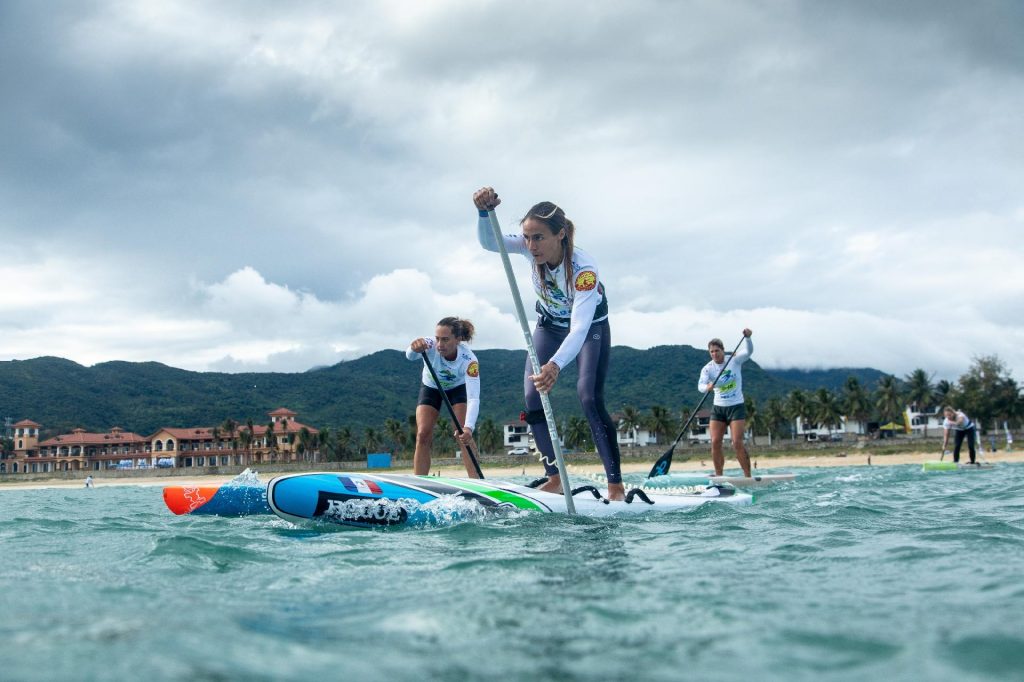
(729, 409)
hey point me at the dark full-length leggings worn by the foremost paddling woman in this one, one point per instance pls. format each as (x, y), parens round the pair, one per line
(592, 363)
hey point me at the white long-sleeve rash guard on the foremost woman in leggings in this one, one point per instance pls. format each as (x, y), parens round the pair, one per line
(578, 305)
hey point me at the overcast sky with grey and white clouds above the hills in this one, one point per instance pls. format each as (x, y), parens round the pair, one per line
(272, 187)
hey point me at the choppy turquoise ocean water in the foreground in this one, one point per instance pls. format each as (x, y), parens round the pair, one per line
(849, 574)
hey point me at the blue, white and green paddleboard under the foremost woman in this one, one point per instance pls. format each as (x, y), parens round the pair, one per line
(394, 500)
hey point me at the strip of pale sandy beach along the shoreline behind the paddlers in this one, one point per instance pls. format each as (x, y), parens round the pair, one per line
(765, 465)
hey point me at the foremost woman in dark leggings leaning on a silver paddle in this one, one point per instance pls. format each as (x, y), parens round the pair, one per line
(573, 325)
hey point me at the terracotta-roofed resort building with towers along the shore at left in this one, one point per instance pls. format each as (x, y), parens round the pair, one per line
(283, 440)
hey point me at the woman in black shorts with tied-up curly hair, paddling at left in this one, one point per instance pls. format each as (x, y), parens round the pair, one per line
(459, 372)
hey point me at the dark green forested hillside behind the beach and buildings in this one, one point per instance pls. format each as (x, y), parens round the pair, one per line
(144, 397)
